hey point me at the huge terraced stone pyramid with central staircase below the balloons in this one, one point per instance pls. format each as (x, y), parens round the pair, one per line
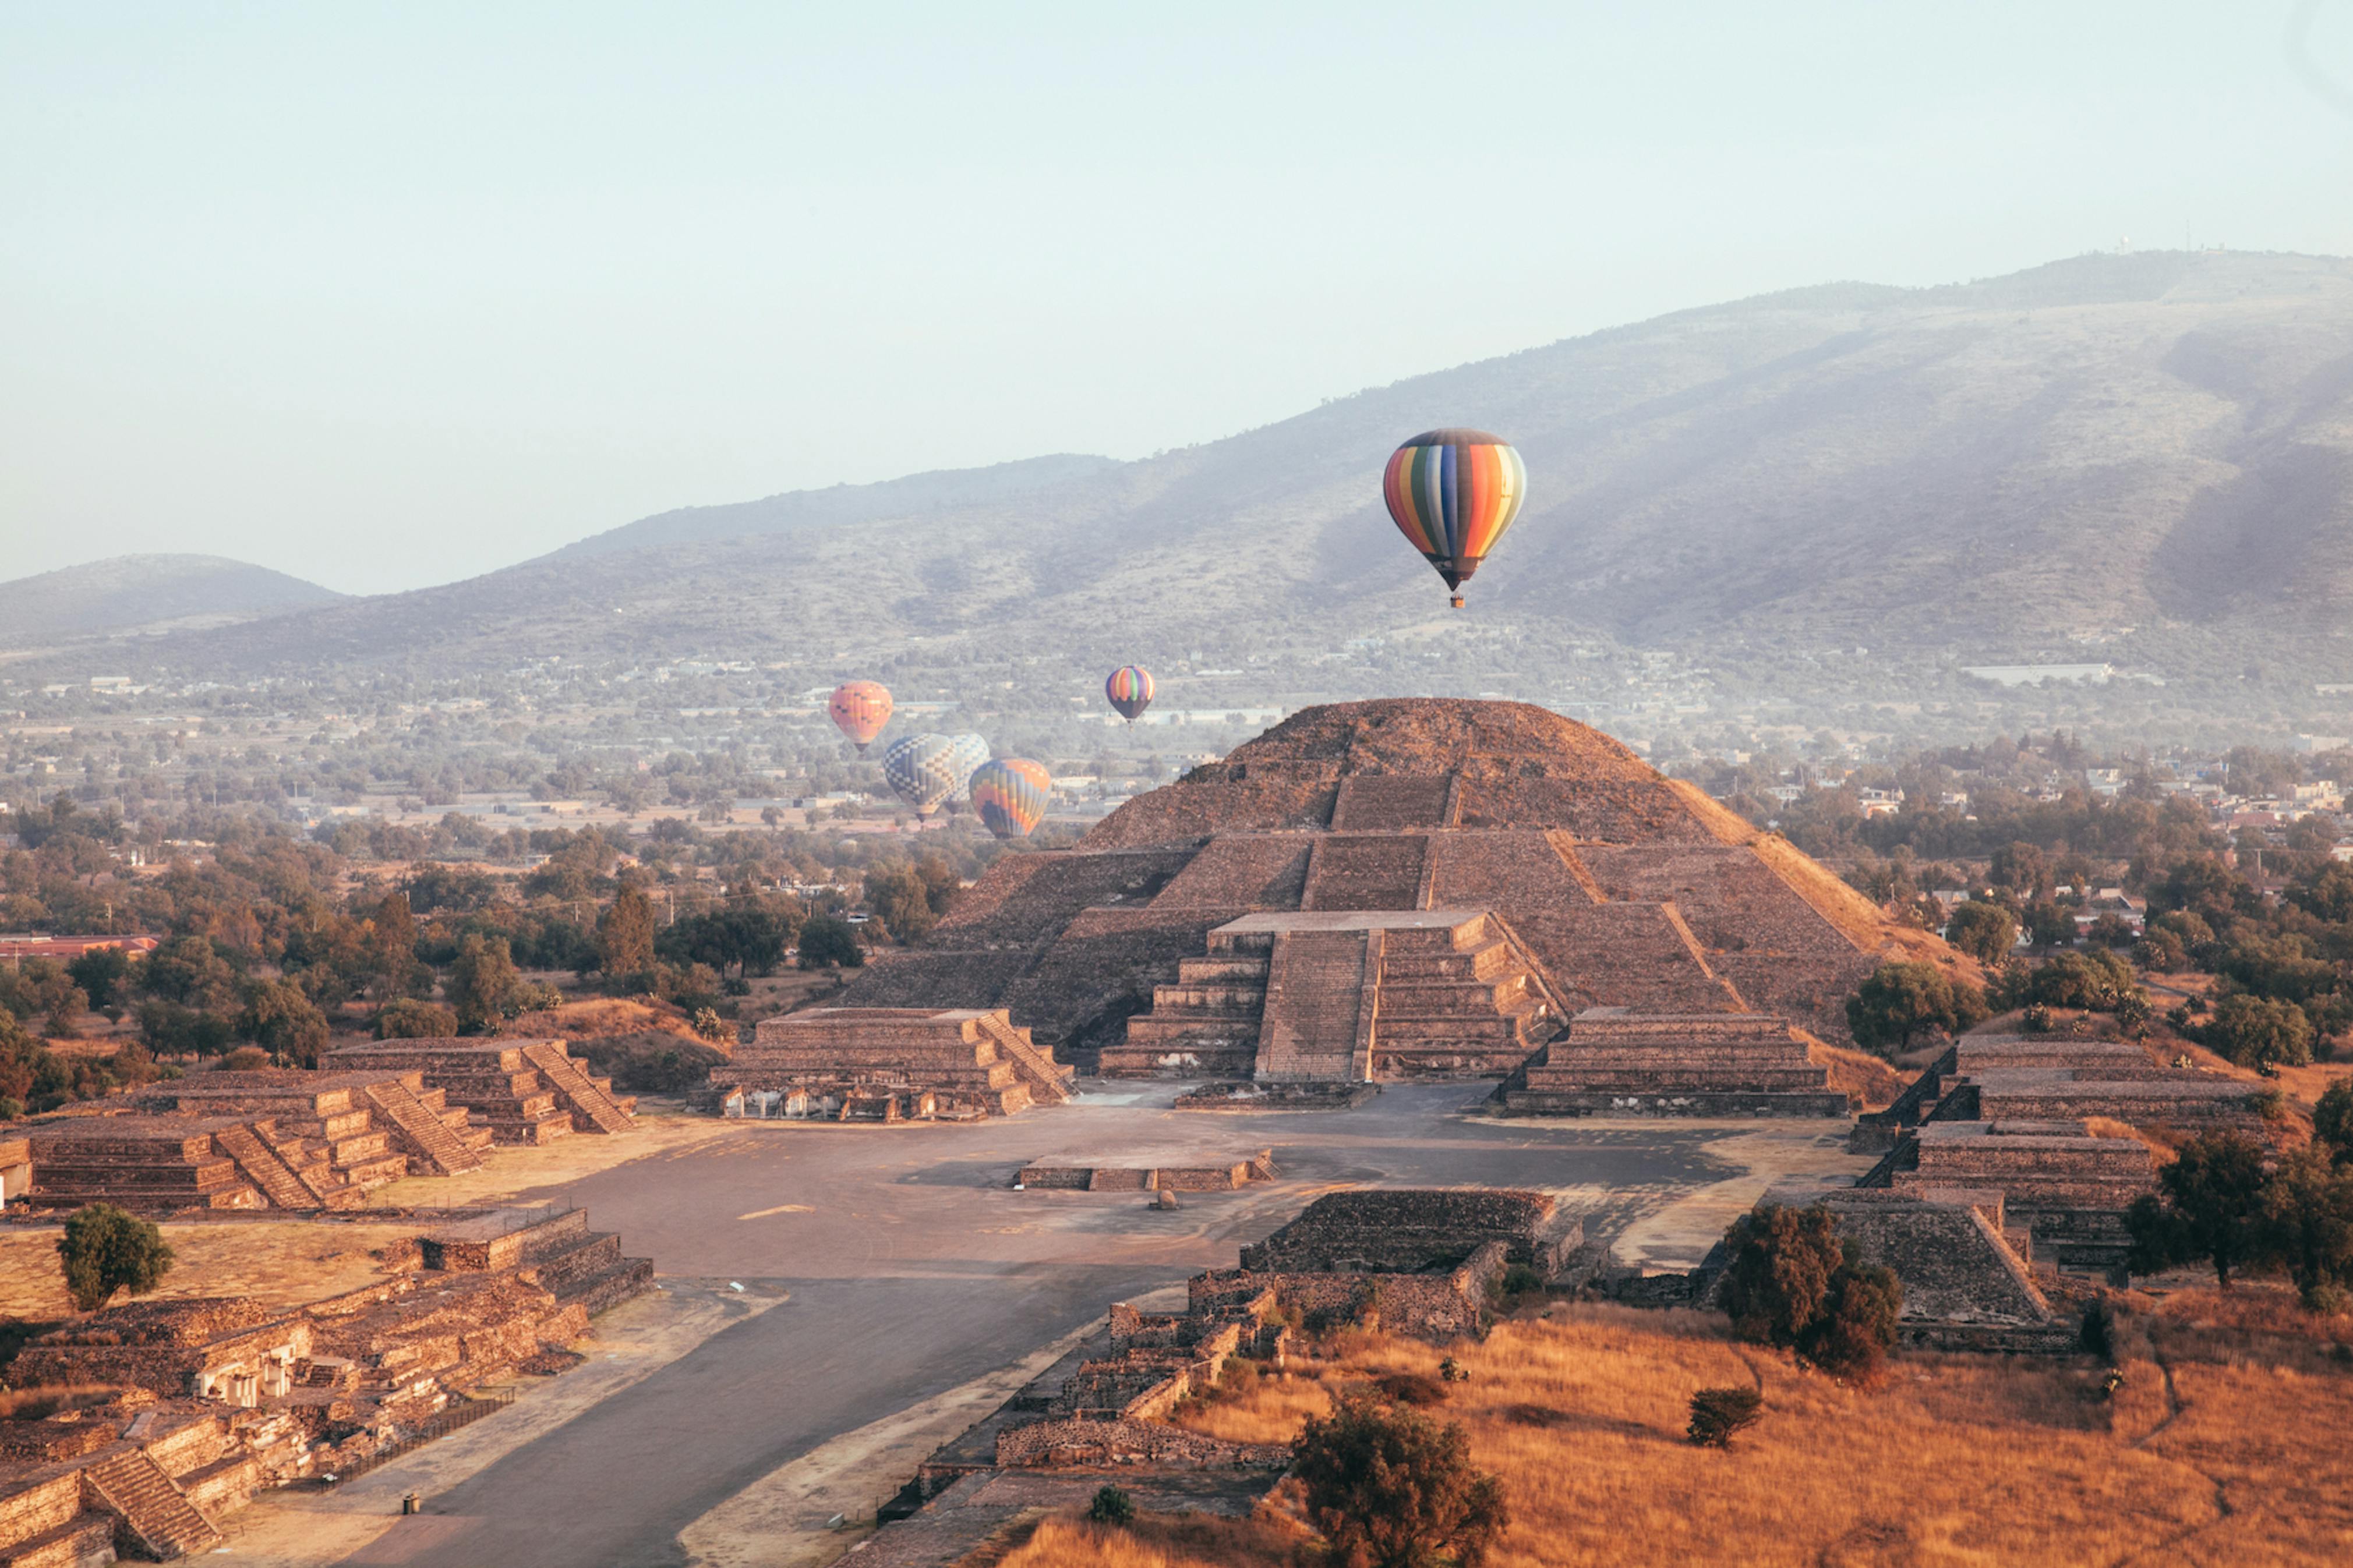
(1397, 890)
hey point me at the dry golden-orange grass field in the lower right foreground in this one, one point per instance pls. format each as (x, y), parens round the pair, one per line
(1949, 1461)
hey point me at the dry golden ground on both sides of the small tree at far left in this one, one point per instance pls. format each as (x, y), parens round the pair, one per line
(279, 1264)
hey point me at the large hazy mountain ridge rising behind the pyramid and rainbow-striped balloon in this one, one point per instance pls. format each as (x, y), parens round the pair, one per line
(2157, 443)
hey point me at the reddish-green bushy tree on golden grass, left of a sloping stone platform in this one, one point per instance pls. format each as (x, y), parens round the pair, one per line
(1792, 1282)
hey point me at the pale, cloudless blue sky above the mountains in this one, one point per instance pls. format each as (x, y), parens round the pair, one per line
(389, 295)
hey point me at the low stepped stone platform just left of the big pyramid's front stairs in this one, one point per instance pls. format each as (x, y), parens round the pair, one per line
(895, 1064)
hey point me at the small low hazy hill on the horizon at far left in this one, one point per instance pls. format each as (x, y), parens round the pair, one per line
(147, 594)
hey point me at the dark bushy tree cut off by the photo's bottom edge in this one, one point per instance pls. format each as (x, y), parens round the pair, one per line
(1394, 1489)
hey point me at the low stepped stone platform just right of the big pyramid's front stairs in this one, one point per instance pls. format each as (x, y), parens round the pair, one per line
(1620, 1064)
